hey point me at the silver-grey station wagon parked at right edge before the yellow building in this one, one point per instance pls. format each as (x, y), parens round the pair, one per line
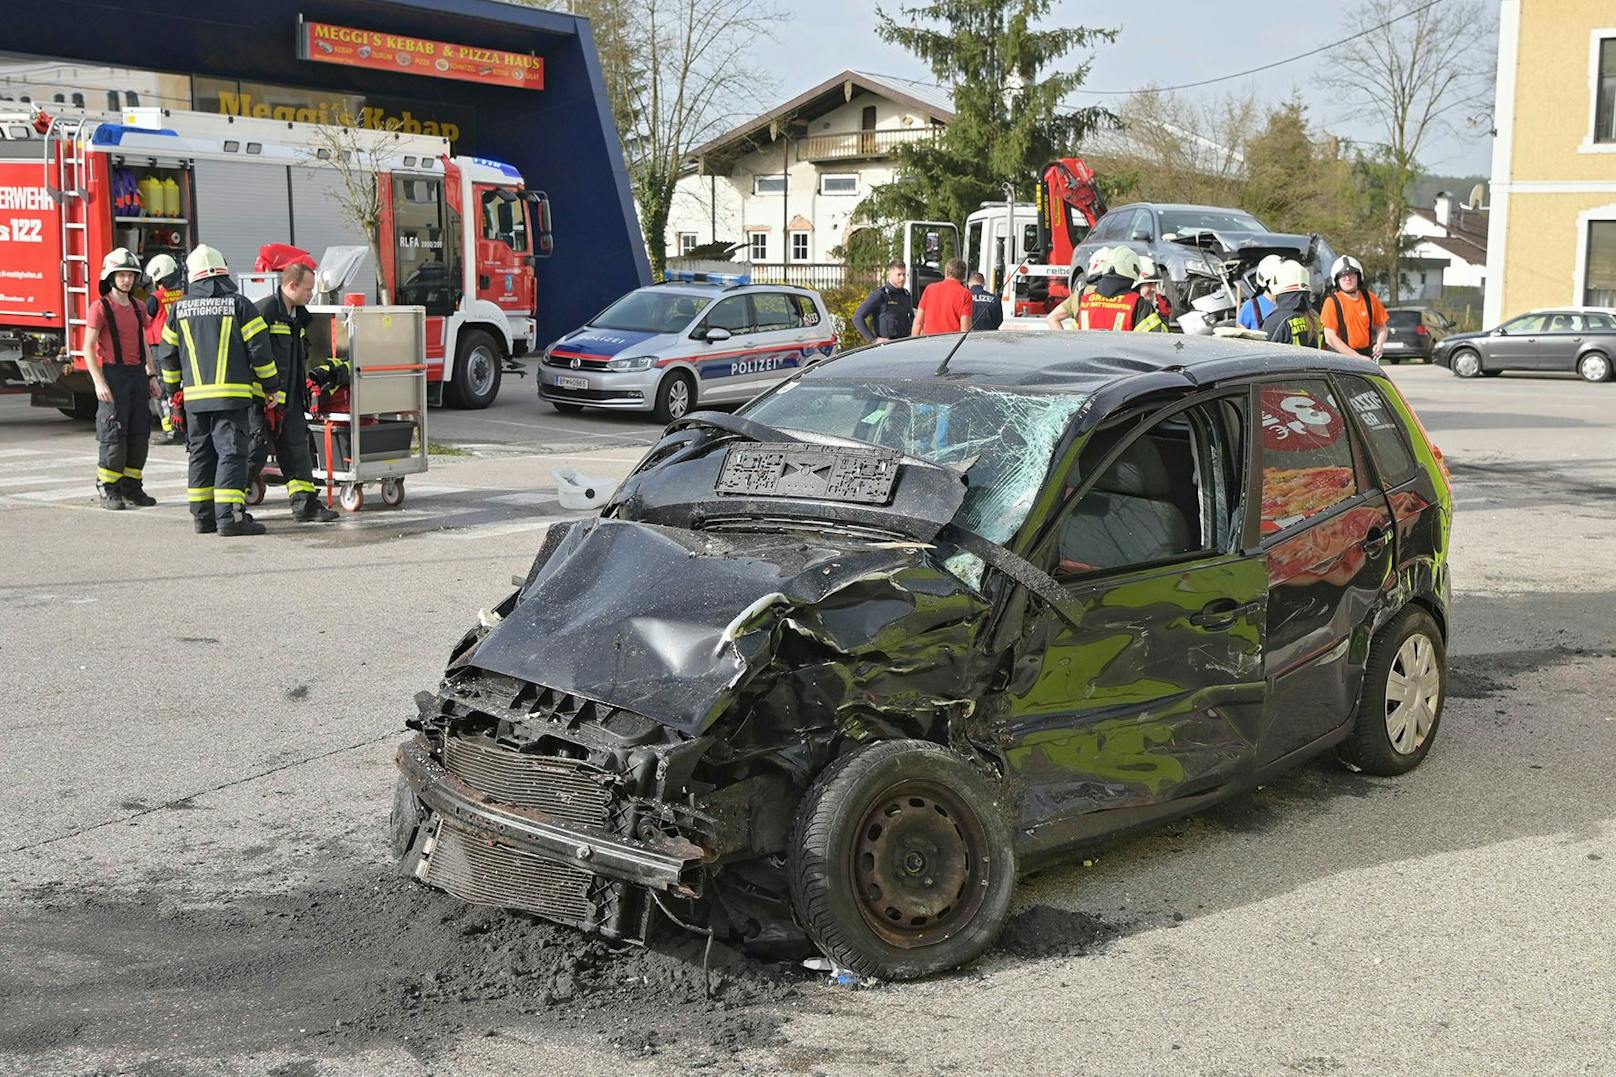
(1573, 340)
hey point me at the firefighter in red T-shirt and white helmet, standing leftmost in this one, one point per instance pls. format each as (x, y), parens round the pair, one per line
(120, 365)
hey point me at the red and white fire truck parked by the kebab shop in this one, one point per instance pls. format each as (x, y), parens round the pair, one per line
(457, 235)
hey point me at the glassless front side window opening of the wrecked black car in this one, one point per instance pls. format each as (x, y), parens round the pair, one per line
(1174, 492)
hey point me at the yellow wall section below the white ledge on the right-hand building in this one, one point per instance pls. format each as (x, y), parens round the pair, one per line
(1542, 250)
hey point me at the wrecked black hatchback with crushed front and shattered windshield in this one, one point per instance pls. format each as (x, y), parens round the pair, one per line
(835, 670)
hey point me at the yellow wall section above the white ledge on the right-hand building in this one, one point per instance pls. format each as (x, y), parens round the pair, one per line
(1554, 96)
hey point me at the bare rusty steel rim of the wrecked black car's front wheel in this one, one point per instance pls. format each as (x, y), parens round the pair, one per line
(920, 864)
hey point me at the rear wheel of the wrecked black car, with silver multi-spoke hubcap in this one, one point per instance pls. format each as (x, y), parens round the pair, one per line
(1405, 690)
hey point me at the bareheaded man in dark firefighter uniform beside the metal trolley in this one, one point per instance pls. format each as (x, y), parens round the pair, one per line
(287, 315)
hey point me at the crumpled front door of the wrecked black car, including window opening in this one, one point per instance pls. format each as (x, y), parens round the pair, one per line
(1151, 686)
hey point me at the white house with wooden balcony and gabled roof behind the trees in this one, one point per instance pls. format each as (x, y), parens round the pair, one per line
(786, 184)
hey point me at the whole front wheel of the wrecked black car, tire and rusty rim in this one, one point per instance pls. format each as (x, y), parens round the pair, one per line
(903, 863)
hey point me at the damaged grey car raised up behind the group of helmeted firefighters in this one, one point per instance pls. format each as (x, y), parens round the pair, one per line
(1192, 243)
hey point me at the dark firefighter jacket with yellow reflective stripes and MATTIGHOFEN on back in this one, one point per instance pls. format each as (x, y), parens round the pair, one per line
(217, 347)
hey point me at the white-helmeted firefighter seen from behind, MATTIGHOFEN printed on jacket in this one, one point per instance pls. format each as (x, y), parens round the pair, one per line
(217, 350)
